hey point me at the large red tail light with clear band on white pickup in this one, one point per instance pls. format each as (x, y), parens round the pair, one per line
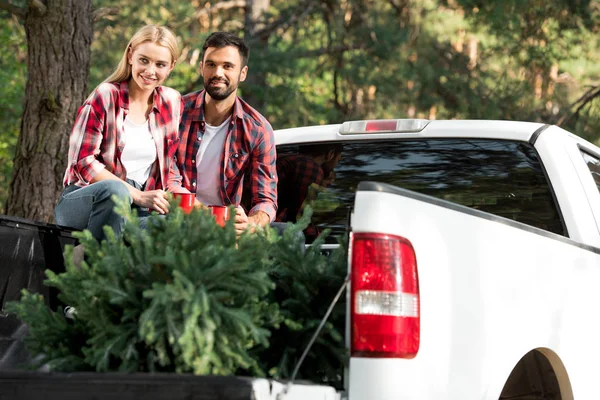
(384, 303)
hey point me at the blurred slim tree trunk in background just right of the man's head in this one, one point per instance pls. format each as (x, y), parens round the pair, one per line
(257, 77)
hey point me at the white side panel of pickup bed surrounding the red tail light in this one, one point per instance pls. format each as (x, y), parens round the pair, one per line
(490, 290)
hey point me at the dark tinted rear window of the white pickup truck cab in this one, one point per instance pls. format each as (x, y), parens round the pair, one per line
(500, 177)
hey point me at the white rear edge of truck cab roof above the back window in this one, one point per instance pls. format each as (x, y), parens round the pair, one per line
(509, 130)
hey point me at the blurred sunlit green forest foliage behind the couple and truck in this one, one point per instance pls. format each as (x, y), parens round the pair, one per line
(317, 62)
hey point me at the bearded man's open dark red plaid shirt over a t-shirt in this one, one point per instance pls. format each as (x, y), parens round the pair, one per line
(249, 152)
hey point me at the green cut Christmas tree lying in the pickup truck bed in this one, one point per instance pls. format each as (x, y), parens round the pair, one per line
(187, 295)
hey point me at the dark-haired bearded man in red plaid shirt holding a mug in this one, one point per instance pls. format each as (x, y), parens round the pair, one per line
(224, 141)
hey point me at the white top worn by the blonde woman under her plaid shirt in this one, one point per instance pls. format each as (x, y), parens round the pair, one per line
(139, 152)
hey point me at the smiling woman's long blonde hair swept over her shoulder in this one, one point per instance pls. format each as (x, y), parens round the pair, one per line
(160, 35)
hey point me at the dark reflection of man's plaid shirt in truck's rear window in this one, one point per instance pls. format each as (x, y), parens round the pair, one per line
(296, 174)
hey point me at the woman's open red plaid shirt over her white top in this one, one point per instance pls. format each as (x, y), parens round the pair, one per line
(96, 142)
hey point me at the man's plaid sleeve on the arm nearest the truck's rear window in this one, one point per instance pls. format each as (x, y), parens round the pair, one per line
(263, 173)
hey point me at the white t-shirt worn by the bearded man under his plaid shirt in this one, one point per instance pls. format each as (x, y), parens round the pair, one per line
(207, 164)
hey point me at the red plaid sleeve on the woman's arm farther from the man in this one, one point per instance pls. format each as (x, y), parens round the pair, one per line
(85, 141)
